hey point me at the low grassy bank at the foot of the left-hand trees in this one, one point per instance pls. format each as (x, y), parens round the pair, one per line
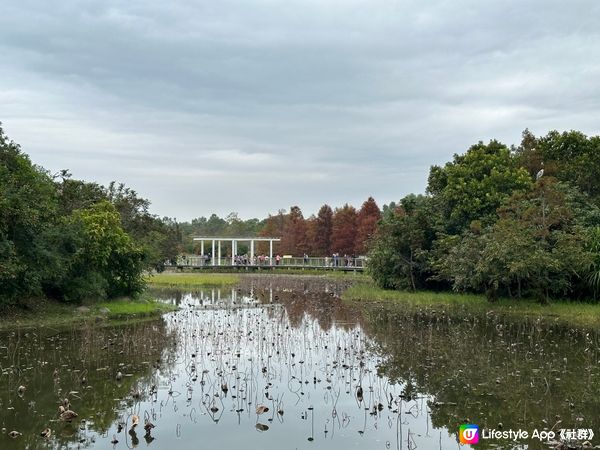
(53, 314)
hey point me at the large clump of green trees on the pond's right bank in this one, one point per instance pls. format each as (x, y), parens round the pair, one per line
(512, 222)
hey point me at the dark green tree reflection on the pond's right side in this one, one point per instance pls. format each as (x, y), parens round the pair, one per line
(492, 372)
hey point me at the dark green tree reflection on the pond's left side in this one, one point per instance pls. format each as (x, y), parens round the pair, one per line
(80, 365)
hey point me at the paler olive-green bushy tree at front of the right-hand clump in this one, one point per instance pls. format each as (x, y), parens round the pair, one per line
(534, 249)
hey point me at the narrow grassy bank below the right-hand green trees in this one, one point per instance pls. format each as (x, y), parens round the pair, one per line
(569, 313)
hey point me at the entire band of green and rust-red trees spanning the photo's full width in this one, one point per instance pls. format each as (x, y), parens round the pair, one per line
(518, 222)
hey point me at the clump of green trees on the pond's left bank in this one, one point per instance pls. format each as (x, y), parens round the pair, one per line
(69, 239)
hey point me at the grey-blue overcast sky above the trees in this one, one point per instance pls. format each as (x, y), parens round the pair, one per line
(209, 106)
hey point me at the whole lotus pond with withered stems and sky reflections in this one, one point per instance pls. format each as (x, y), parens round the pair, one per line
(287, 365)
